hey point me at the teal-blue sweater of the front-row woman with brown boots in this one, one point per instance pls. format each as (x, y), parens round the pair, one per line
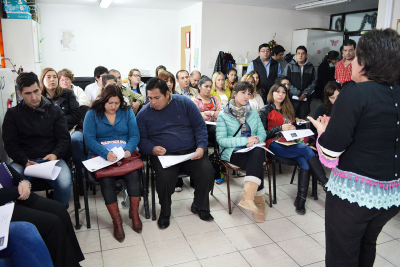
(97, 129)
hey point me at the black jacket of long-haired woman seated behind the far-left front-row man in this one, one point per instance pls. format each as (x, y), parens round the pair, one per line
(70, 106)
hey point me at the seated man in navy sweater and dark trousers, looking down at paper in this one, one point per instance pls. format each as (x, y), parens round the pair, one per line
(173, 125)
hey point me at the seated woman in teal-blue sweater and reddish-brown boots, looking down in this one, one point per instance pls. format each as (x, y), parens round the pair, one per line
(110, 118)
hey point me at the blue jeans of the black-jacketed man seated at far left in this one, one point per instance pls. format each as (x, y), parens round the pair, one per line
(61, 185)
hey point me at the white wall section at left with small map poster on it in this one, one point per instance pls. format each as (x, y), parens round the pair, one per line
(119, 38)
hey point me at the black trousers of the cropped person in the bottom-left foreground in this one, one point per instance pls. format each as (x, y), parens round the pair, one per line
(54, 225)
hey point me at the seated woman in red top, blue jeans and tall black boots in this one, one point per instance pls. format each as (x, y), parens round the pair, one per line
(278, 116)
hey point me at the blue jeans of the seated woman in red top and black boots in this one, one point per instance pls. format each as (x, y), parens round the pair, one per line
(301, 153)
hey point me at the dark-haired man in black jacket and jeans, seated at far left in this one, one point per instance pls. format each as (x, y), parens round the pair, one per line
(36, 131)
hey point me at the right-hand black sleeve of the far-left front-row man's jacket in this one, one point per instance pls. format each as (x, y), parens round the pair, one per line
(63, 139)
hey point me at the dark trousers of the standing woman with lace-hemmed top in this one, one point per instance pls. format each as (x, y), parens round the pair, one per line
(351, 232)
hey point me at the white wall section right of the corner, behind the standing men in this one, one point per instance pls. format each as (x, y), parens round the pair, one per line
(241, 29)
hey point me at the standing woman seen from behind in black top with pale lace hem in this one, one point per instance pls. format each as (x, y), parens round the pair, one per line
(360, 142)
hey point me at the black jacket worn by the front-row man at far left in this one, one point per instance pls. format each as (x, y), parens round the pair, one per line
(34, 133)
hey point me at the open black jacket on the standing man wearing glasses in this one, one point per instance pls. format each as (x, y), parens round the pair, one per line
(266, 82)
